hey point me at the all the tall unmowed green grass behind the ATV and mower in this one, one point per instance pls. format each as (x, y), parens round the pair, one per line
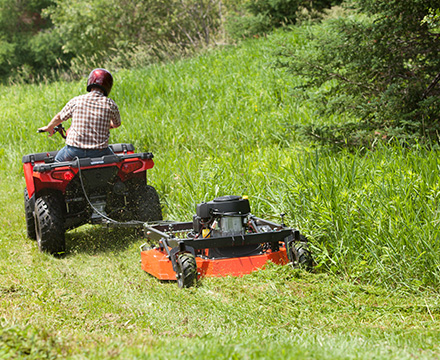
(216, 125)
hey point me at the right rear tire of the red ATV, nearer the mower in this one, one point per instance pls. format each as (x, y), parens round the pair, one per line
(146, 204)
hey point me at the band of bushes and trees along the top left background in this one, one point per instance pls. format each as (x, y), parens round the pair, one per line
(42, 37)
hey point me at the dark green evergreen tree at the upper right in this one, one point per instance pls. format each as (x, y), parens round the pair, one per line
(382, 67)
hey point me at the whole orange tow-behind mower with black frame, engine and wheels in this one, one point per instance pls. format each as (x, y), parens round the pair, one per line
(224, 239)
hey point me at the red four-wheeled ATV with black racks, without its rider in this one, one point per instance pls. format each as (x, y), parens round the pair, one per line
(64, 195)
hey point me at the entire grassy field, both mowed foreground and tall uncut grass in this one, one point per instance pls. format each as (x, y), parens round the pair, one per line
(218, 124)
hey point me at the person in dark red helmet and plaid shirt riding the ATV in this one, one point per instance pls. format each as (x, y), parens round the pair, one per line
(93, 115)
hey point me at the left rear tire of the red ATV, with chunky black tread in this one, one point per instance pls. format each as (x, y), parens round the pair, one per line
(49, 224)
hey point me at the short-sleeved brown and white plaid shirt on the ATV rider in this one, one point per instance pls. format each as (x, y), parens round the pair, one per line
(91, 115)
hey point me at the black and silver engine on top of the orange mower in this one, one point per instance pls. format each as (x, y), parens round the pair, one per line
(223, 216)
